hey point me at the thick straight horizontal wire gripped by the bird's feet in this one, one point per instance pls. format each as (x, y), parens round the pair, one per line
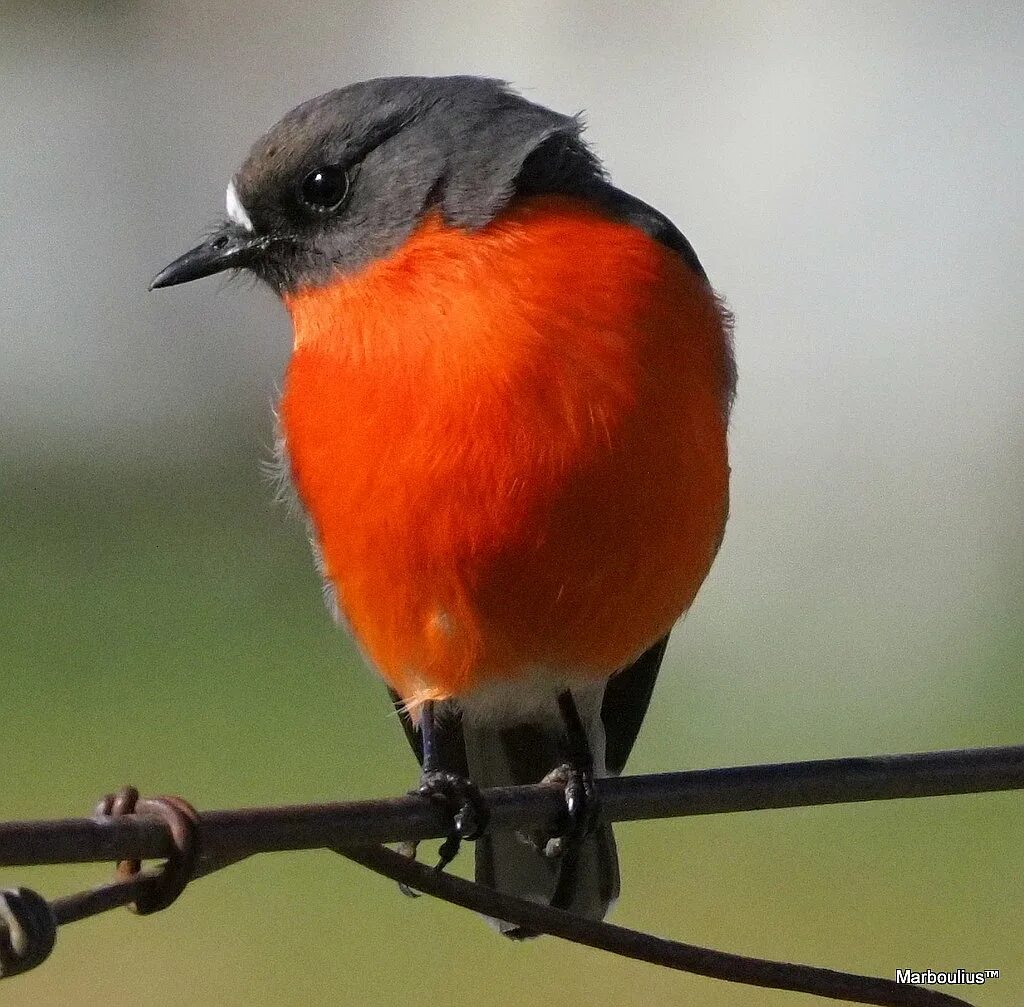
(232, 834)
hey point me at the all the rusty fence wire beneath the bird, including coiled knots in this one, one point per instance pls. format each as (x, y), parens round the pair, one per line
(127, 829)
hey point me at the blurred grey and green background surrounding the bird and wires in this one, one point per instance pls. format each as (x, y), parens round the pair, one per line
(850, 178)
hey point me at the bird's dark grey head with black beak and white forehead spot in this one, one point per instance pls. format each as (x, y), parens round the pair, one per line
(346, 178)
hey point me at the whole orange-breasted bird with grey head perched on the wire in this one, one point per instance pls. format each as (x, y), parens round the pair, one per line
(506, 416)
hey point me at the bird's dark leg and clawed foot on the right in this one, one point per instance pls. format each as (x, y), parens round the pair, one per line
(576, 776)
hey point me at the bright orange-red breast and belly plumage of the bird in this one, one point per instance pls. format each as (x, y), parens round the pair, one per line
(513, 446)
